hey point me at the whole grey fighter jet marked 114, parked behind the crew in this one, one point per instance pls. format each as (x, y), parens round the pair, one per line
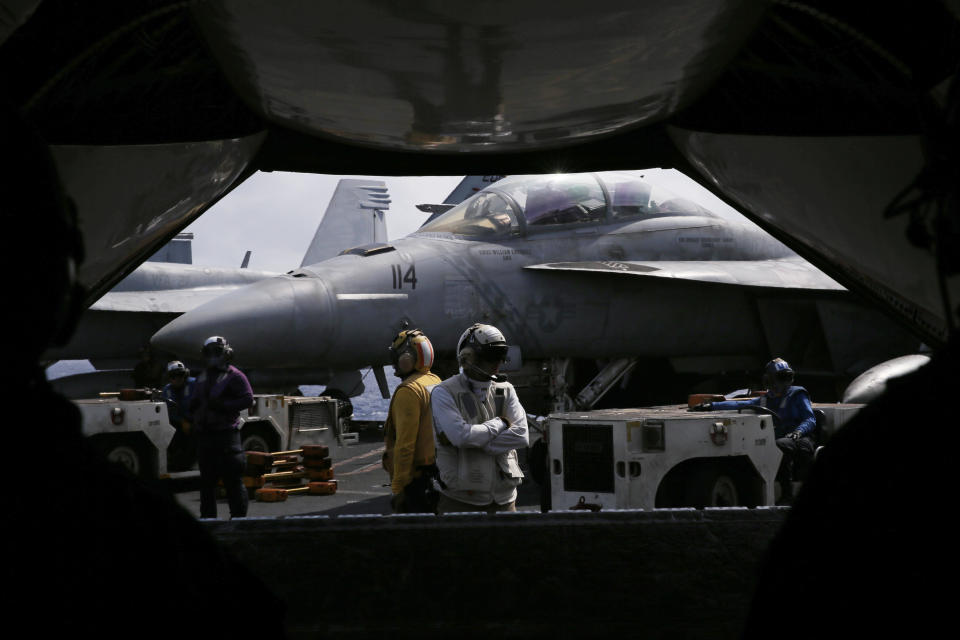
(585, 274)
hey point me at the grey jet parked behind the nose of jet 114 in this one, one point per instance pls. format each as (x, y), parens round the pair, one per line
(114, 329)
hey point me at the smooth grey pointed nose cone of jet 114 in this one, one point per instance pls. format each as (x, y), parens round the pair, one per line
(279, 322)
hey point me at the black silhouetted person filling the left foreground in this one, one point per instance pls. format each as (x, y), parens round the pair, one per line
(89, 547)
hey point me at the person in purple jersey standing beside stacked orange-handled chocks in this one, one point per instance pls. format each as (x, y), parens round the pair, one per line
(223, 391)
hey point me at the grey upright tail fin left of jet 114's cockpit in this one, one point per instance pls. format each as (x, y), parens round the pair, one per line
(354, 217)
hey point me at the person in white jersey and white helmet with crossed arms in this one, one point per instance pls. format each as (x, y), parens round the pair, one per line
(479, 423)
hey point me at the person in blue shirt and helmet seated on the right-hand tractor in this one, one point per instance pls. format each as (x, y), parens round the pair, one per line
(794, 423)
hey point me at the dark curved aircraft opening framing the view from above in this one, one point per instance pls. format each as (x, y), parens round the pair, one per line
(805, 115)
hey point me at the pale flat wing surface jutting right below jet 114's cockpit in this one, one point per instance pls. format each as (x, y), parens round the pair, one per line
(783, 273)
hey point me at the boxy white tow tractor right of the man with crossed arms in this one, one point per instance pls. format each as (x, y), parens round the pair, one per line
(667, 457)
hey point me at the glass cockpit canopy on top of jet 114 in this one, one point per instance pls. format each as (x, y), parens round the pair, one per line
(521, 204)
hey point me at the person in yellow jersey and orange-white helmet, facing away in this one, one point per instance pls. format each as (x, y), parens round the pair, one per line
(410, 456)
